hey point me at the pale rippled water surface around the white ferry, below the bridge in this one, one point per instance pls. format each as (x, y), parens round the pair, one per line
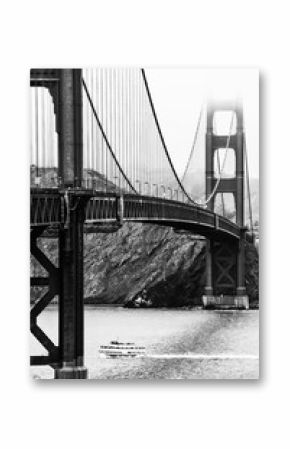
(180, 344)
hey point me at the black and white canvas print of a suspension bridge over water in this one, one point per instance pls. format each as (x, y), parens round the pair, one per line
(144, 218)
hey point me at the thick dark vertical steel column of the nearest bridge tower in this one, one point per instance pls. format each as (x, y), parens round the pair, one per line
(71, 308)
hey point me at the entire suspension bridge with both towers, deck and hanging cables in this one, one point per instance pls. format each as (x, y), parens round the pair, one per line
(99, 159)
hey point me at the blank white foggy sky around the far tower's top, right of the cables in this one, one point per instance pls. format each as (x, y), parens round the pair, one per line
(179, 93)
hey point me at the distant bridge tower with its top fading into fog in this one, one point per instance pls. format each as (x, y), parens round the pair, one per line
(225, 259)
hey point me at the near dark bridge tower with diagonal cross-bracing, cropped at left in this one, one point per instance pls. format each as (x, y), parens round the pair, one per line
(66, 279)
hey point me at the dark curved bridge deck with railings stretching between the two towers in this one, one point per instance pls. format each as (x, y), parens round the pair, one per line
(49, 207)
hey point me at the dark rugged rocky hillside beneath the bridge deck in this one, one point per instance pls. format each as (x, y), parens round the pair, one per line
(171, 266)
